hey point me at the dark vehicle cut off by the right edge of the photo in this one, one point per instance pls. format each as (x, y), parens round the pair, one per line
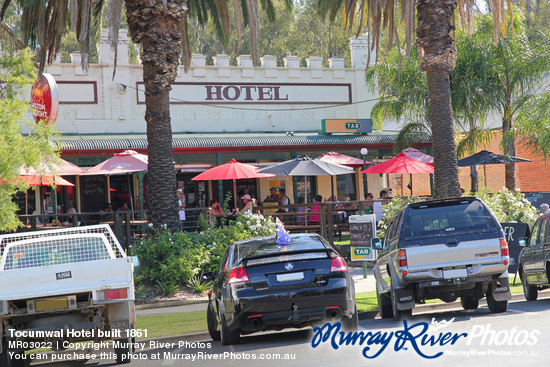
(534, 259)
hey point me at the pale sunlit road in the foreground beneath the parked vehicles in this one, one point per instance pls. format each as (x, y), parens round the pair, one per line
(519, 336)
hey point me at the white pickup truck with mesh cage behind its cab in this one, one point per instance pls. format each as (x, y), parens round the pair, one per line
(61, 286)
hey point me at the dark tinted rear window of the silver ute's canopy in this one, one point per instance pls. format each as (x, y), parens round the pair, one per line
(445, 217)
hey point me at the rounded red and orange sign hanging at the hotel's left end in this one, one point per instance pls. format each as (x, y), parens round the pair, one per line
(45, 99)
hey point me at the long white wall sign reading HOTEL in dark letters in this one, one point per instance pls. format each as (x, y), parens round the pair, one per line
(255, 93)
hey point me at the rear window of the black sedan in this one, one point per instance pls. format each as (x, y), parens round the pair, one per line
(267, 246)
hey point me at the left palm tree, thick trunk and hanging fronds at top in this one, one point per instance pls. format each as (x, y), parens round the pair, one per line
(160, 27)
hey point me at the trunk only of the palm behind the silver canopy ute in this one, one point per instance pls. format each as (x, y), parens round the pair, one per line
(436, 43)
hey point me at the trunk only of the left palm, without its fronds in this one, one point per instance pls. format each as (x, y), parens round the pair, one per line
(156, 24)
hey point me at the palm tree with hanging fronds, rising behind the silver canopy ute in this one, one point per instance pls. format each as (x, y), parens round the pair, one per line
(435, 41)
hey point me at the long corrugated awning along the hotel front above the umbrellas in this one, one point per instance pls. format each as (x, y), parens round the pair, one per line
(219, 143)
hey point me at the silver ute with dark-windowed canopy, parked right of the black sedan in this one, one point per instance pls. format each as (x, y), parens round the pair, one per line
(442, 249)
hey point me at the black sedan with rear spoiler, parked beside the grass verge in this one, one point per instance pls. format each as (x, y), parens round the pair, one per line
(263, 285)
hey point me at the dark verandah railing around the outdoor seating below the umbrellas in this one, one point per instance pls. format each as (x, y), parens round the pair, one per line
(329, 221)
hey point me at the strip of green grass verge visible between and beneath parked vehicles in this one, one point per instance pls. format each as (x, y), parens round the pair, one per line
(192, 322)
